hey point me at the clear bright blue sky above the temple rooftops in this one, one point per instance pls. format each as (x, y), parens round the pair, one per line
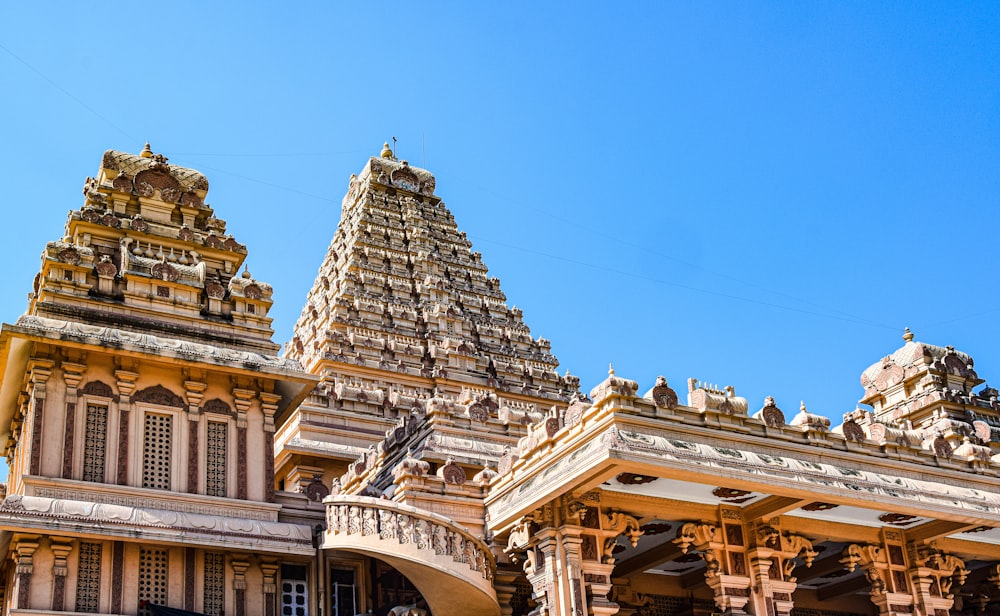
(756, 194)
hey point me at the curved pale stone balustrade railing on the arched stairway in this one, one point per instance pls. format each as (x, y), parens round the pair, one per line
(391, 528)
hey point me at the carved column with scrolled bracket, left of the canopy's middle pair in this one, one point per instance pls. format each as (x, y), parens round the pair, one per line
(731, 590)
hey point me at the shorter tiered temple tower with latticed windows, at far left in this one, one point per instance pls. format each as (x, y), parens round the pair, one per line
(138, 401)
